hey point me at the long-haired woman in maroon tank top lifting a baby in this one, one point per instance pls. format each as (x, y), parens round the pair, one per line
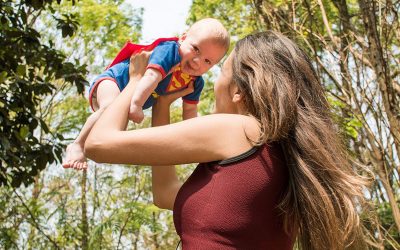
(272, 169)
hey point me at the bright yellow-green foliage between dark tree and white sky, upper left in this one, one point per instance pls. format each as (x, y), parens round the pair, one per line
(105, 26)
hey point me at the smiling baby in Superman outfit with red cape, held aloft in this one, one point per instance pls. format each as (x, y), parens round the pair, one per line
(173, 65)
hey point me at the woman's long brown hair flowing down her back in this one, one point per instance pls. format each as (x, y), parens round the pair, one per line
(282, 90)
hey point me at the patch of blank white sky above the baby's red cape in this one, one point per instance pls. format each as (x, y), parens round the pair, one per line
(162, 18)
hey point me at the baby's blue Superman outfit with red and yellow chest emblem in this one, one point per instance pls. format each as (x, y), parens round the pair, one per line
(166, 59)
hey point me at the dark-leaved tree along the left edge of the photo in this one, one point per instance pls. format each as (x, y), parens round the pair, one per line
(28, 68)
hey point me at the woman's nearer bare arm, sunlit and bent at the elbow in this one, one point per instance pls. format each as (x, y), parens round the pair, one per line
(202, 139)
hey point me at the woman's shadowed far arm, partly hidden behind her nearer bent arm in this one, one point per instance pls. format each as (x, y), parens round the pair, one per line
(165, 182)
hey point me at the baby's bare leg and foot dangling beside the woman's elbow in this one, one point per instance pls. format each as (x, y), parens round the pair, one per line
(106, 93)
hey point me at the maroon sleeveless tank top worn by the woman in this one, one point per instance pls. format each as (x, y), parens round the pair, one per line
(231, 204)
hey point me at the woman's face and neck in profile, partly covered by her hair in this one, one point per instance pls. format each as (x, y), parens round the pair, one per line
(224, 89)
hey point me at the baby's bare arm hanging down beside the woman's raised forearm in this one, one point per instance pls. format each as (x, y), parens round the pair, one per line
(144, 88)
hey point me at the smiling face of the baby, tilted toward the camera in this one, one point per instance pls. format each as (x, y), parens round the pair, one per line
(199, 53)
